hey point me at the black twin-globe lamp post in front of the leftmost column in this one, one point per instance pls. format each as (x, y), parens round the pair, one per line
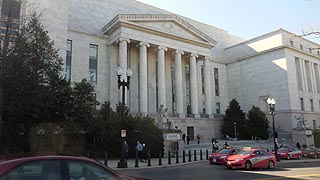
(123, 83)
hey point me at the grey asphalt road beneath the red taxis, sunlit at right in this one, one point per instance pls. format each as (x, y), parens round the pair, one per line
(204, 170)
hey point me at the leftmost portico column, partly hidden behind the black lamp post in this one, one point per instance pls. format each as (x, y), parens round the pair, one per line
(123, 63)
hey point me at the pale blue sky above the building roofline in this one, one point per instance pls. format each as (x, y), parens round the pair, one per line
(249, 18)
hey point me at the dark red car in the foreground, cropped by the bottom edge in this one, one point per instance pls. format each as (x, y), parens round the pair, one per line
(55, 167)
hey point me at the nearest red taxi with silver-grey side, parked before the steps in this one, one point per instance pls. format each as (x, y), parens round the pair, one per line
(251, 158)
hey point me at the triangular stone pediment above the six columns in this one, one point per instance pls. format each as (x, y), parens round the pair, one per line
(163, 24)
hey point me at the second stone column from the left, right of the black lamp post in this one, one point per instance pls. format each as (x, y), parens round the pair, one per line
(143, 78)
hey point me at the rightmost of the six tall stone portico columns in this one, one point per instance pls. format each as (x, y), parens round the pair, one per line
(207, 86)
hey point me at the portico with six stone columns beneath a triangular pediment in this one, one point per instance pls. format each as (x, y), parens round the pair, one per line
(171, 44)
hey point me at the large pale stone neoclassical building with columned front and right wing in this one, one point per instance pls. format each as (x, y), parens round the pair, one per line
(191, 68)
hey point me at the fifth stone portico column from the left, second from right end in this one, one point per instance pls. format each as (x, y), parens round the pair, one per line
(193, 84)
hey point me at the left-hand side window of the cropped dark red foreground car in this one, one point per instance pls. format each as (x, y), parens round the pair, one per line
(35, 170)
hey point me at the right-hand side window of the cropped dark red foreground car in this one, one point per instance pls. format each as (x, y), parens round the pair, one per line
(86, 170)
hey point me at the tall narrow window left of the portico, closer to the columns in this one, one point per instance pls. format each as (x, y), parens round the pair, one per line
(93, 61)
